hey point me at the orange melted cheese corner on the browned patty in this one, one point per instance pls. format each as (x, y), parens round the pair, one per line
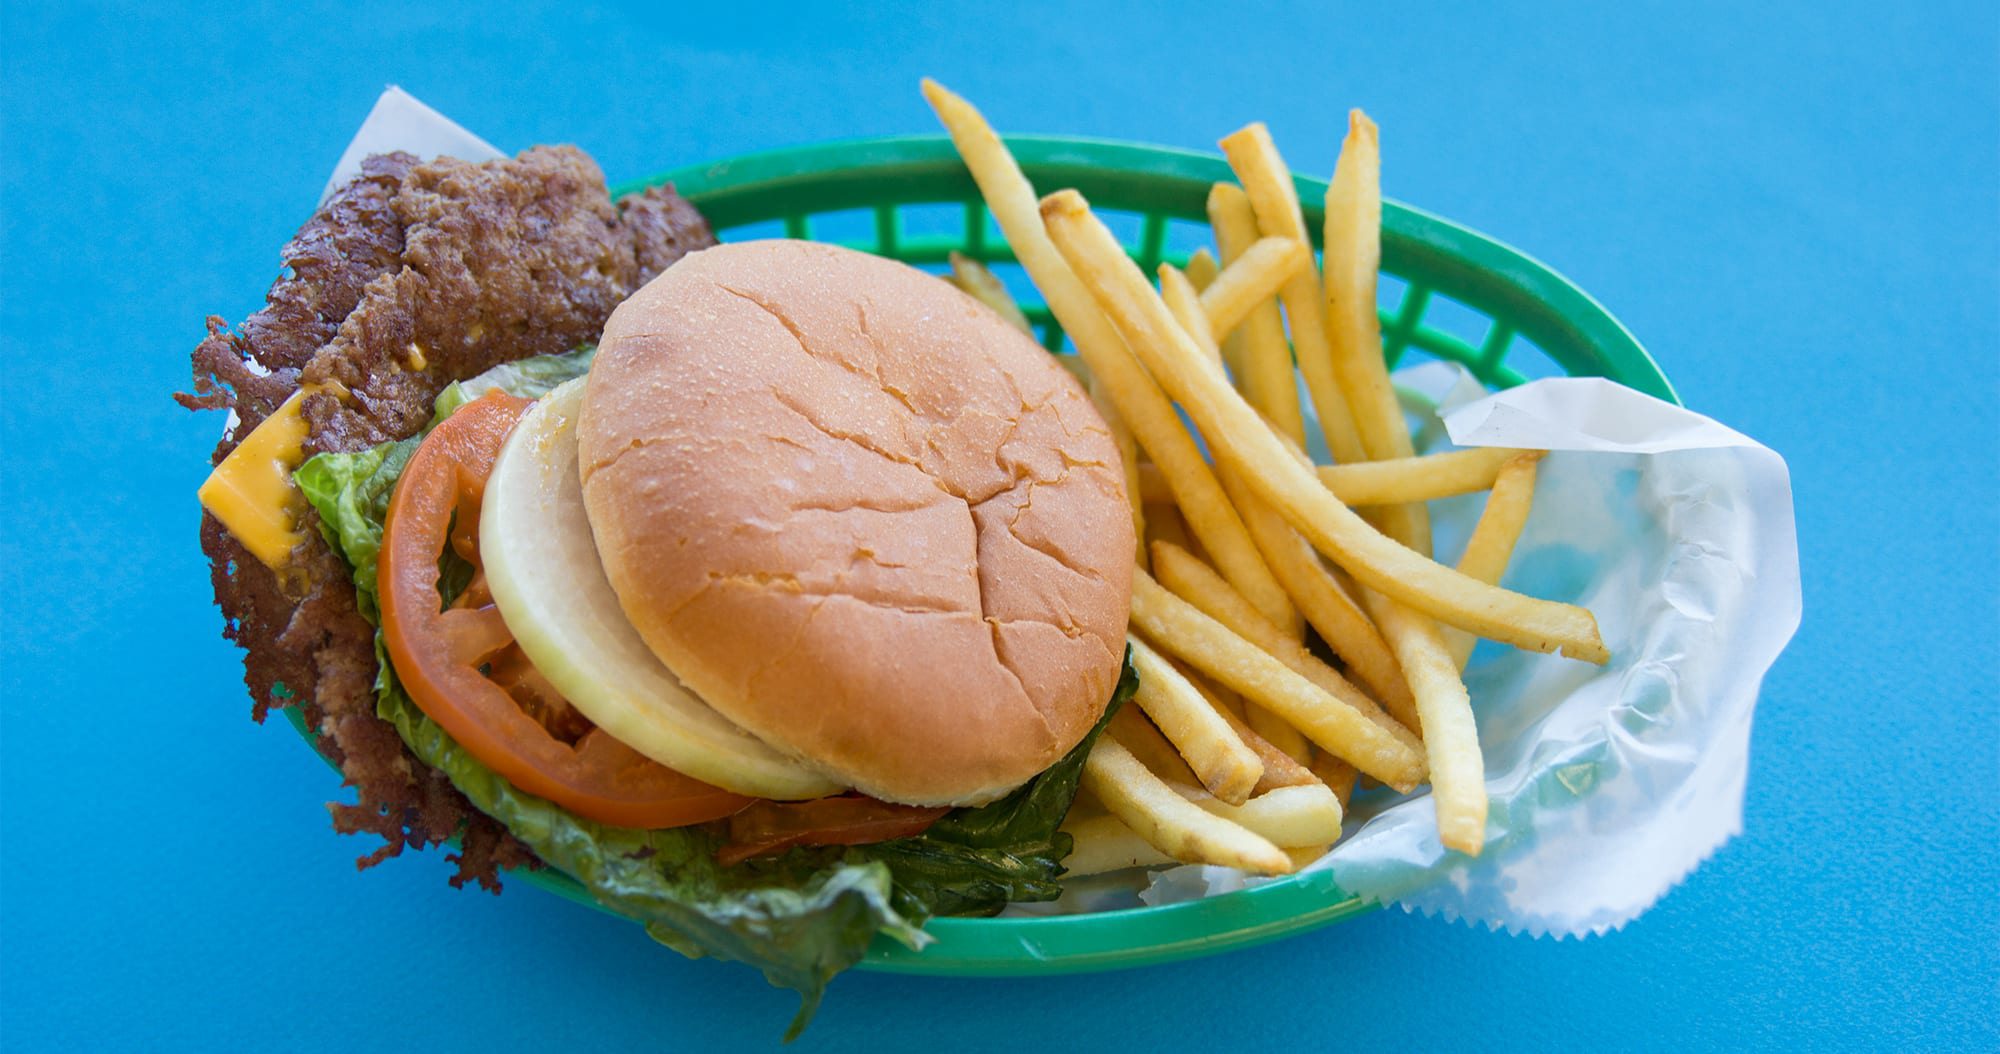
(253, 495)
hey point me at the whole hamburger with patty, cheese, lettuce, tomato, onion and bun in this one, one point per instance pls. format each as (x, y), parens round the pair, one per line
(771, 591)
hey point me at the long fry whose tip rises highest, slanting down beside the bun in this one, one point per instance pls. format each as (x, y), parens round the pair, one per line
(1139, 401)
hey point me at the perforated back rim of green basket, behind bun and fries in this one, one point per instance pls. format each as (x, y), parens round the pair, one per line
(1523, 297)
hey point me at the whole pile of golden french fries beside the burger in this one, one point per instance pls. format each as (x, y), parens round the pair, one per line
(1245, 745)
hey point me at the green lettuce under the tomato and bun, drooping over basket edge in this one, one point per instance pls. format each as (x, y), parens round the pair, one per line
(799, 917)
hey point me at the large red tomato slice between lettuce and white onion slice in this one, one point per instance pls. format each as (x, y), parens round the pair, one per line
(439, 653)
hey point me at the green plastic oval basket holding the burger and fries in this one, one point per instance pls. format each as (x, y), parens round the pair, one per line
(1463, 299)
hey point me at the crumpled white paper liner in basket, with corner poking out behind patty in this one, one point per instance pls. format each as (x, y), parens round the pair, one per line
(1609, 783)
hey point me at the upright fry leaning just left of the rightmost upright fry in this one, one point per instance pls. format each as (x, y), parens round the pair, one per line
(1269, 183)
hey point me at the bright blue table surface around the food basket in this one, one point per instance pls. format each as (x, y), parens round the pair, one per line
(1799, 213)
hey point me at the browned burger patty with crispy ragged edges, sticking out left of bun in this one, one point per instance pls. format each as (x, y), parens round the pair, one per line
(411, 277)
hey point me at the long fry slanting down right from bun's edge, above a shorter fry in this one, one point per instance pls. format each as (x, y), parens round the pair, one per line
(1183, 631)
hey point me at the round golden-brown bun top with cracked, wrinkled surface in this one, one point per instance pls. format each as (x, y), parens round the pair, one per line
(861, 517)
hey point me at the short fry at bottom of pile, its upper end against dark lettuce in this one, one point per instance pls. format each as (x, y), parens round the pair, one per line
(1171, 823)
